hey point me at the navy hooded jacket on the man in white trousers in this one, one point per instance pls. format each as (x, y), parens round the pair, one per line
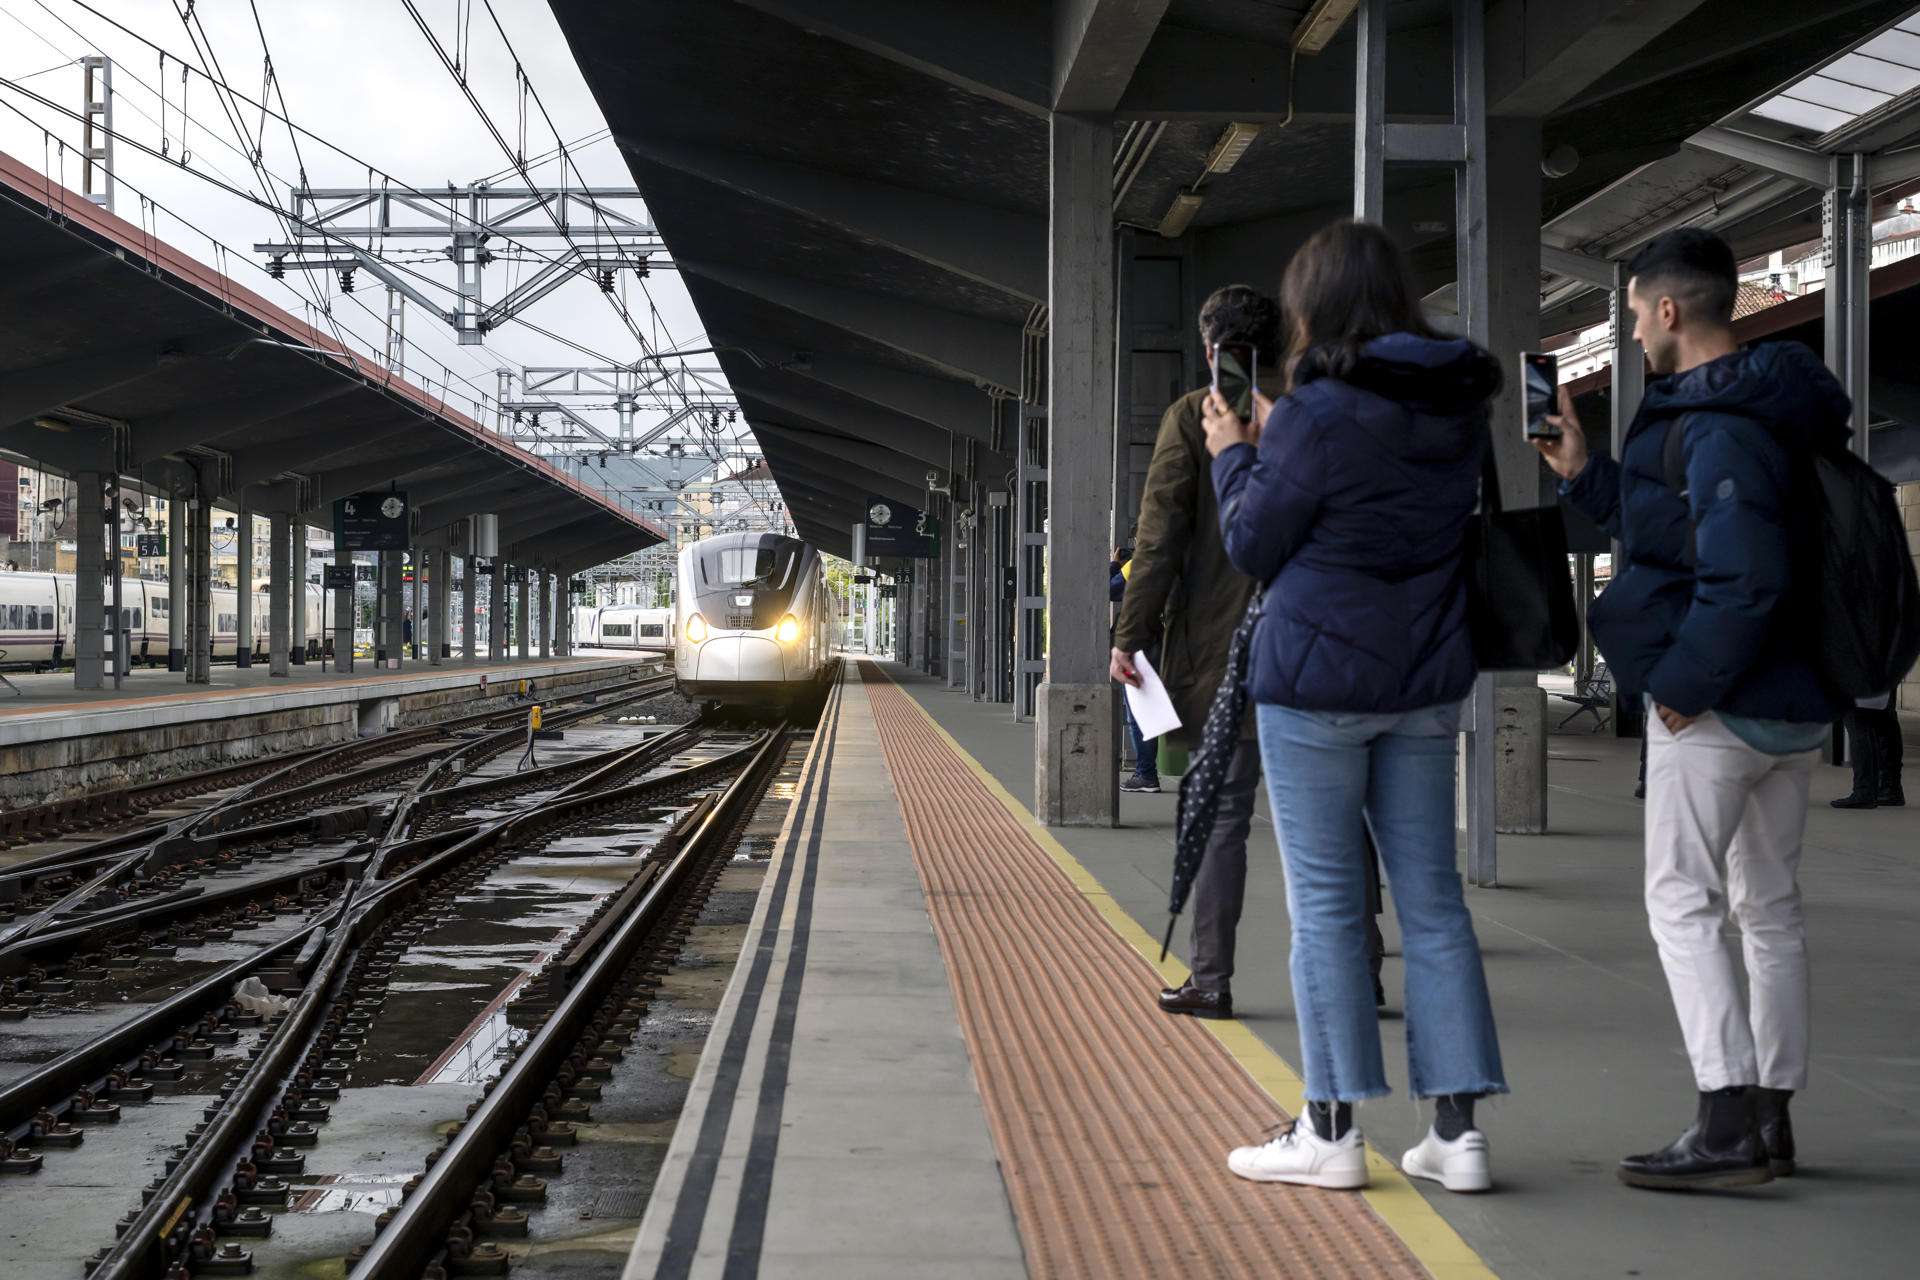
(1714, 628)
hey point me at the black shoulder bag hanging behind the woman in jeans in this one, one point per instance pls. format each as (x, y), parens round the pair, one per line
(1520, 588)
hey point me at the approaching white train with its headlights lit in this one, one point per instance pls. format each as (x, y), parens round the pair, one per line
(752, 619)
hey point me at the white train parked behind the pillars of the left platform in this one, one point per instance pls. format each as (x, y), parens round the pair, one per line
(37, 619)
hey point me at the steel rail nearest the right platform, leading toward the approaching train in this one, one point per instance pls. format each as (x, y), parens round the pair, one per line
(418, 1231)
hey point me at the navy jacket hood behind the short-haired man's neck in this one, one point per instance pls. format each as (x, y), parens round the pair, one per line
(1779, 383)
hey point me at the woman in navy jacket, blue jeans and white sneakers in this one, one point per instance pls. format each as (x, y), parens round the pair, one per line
(1353, 506)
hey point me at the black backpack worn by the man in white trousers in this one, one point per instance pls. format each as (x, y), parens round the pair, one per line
(1854, 573)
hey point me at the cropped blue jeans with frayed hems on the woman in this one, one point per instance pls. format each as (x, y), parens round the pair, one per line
(1330, 774)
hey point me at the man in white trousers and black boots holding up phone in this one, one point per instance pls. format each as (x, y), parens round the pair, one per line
(1700, 623)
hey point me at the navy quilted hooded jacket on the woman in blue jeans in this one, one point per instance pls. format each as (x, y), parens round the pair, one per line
(1353, 513)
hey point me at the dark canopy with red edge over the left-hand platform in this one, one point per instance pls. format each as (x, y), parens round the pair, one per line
(122, 354)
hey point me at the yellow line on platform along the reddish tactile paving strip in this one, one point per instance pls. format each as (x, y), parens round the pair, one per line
(1393, 1197)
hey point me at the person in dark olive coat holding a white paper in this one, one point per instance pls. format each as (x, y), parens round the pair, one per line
(1184, 590)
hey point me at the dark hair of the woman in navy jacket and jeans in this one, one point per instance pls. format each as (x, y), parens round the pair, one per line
(1347, 287)
